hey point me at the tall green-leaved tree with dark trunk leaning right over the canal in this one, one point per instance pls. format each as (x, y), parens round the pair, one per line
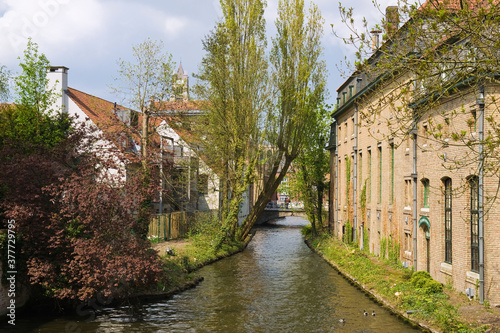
(298, 79)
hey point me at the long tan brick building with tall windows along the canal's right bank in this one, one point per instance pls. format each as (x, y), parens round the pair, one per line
(425, 195)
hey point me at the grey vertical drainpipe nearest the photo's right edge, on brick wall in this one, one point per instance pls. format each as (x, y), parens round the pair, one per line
(480, 103)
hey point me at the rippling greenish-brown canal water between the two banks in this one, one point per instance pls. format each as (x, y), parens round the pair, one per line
(276, 285)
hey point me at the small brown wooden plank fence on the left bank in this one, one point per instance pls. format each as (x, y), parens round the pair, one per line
(169, 226)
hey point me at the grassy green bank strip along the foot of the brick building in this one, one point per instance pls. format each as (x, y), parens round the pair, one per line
(413, 295)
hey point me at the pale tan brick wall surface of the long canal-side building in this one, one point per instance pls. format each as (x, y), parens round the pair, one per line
(384, 164)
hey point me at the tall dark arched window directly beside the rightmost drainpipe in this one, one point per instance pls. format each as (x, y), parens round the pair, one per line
(474, 223)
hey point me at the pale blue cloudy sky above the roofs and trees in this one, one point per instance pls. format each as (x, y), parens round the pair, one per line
(90, 36)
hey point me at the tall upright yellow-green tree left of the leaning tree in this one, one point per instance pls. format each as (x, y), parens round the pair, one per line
(234, 83)
